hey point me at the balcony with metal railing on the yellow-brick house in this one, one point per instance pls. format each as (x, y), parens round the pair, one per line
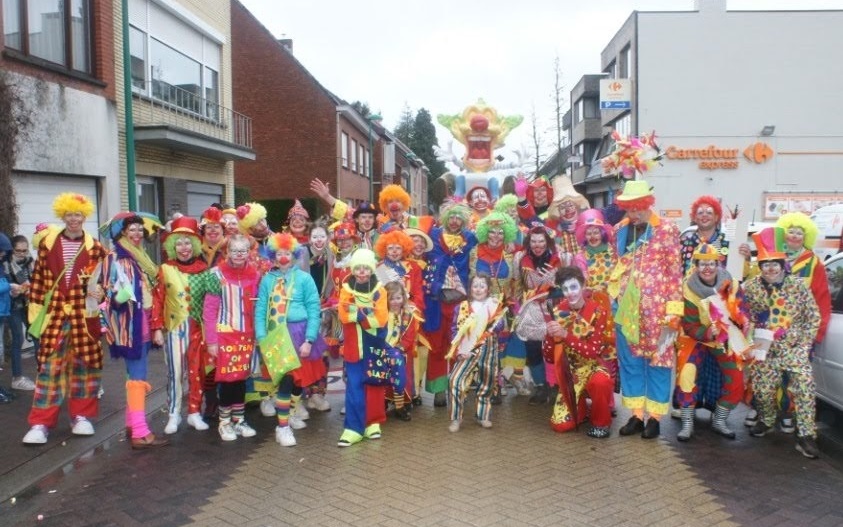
(179, 119)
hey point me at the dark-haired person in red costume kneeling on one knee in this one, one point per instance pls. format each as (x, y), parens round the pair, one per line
(582, 354)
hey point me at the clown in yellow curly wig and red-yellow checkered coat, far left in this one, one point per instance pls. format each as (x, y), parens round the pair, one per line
(70, 353)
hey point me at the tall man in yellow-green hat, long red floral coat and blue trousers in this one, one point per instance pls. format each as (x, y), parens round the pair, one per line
(646, 284)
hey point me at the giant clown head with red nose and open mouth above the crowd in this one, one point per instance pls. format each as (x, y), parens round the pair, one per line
(482, 131)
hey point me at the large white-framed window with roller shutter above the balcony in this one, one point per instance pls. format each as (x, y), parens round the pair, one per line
(172, 61)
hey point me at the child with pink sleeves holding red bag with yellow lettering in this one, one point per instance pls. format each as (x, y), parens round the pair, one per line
(229, 322)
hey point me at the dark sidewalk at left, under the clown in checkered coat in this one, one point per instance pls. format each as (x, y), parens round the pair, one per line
(23, 465)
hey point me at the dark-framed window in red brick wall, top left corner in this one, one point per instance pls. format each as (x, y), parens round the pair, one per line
(57, 31)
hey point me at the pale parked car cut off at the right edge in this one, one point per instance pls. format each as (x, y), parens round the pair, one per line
(828, 356)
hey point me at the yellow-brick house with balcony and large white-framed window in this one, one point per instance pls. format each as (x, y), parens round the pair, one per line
(185, 134)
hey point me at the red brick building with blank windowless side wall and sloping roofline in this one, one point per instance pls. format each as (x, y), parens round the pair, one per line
(301, 129)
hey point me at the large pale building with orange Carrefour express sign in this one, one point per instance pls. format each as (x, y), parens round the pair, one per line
(745, 104)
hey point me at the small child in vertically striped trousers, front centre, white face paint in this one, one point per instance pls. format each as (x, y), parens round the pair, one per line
(475, 346)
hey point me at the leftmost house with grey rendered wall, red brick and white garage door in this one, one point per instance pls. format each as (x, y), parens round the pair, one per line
(59, 58)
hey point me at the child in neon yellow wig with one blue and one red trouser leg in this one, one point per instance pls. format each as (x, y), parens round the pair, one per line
(364, 314)
